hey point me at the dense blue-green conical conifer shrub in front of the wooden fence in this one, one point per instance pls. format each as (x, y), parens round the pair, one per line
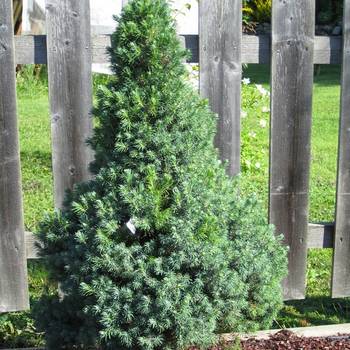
(159, 250)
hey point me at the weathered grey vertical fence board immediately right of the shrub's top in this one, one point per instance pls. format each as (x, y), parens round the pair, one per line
(221, 72)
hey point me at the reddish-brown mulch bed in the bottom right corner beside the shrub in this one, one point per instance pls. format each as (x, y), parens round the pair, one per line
(286, 340)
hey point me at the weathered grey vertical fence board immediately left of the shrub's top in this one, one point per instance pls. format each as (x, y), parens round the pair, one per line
(70, 90)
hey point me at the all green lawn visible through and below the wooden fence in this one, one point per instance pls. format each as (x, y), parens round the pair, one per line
(37, 185)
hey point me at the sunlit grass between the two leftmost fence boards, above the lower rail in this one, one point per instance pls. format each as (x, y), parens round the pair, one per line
(35, 156)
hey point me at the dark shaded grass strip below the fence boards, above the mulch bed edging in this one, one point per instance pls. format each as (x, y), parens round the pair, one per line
(315, 311)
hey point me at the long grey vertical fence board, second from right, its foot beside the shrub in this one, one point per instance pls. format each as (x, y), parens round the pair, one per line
(291, 109)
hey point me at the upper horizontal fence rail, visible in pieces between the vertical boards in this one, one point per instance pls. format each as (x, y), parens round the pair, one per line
(31, 49)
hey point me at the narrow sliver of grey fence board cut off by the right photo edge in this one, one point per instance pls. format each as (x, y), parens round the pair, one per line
(341, 263)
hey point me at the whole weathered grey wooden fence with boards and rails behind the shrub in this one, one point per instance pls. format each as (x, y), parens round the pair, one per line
(292, 50)
